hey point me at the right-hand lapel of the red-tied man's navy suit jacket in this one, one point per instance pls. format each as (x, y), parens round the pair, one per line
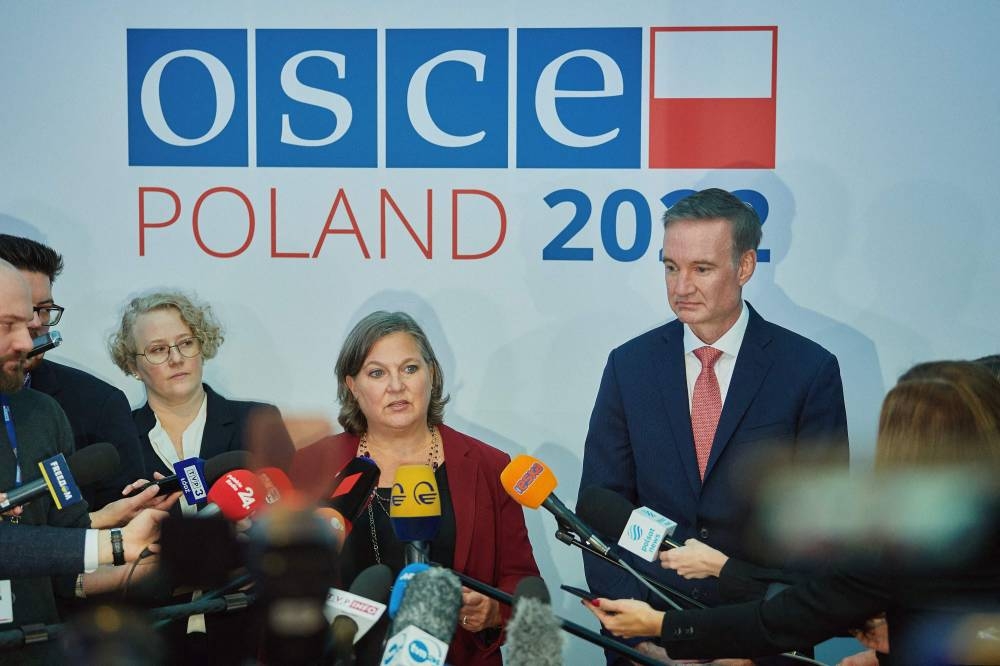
(752, 365)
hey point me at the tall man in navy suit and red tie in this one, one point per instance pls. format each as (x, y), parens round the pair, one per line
(682, 435)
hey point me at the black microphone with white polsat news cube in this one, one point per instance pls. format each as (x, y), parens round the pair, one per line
(643, 531)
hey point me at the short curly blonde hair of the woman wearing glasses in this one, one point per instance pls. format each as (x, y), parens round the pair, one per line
(198, 316)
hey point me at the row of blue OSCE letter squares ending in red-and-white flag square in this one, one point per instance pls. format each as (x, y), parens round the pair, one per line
(312, 98)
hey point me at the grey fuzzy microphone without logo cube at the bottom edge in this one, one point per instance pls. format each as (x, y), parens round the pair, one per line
(534, 636)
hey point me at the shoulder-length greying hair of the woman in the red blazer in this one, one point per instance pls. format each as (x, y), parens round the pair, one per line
(355, 350)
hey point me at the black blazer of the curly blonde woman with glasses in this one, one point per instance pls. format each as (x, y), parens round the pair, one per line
(230, 425)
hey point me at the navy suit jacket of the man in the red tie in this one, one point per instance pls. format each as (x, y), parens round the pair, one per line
(785, 397)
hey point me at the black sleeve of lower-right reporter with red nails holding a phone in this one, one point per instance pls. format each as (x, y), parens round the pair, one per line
(921, 604)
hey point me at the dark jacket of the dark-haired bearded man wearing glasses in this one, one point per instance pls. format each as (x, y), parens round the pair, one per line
(97, 412)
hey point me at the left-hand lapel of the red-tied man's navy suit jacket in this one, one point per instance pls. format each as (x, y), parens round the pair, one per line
(669, 364)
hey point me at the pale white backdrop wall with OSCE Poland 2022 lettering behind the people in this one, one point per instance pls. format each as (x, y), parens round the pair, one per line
(880, 237)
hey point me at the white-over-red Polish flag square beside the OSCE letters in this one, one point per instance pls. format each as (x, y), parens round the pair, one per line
(713, 97)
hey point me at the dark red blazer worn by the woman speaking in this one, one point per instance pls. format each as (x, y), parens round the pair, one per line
(491, 541)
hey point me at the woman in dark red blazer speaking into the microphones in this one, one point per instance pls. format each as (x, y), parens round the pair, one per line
(391, 390)
